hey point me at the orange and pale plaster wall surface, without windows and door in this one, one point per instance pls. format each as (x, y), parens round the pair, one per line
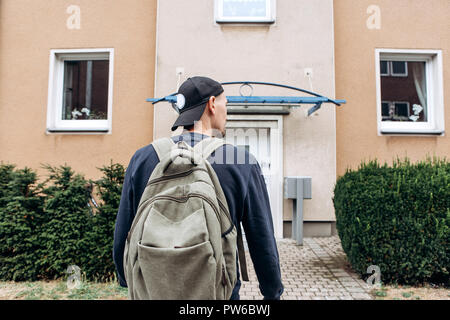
(328, 36)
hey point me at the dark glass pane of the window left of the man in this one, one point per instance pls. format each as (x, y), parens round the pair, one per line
(85, 95)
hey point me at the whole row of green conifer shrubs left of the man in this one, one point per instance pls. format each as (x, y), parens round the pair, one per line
(49, 226)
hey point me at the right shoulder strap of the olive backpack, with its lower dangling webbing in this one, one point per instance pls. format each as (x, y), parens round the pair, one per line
(205, 148)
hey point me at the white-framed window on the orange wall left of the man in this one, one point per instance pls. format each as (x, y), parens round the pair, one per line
(80, 90)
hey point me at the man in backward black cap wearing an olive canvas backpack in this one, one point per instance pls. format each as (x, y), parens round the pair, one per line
(177, 233)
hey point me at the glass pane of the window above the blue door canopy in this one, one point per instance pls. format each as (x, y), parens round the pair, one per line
(244, 8)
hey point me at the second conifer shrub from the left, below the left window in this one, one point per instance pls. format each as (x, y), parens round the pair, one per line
(68, 221)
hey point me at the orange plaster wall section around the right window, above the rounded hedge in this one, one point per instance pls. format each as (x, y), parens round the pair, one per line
(405, 24)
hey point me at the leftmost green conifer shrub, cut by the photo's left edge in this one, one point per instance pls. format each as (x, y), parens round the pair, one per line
(21, 214)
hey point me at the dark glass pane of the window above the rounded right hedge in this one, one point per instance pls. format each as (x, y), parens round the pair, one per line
(410, 90)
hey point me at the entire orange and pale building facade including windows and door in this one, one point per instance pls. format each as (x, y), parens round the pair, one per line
(75, 76)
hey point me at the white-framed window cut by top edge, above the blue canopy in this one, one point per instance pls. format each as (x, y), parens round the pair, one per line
(245, 11)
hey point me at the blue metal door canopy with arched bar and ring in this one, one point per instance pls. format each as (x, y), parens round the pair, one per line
(249, 100)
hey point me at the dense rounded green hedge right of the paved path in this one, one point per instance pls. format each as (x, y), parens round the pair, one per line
(397, 218)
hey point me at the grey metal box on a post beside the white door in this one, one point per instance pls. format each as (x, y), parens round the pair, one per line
(297, 189)
